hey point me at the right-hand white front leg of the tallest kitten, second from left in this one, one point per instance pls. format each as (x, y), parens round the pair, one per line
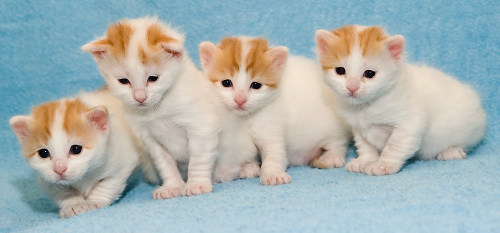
(203, 149)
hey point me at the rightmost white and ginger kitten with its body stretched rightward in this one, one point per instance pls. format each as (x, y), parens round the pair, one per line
(396, 110)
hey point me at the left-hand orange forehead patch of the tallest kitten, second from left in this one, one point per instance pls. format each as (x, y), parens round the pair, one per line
(118, 38)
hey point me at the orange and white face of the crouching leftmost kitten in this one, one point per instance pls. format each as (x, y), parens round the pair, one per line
(62, 140)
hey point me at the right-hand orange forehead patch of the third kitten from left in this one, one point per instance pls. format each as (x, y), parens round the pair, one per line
(260, 65)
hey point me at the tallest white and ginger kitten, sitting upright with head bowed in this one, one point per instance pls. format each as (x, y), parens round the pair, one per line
(166, 99)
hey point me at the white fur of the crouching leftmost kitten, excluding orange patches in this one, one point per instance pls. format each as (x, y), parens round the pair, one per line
(96, 177)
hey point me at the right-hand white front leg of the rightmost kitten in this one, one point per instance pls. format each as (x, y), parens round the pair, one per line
(402, 144)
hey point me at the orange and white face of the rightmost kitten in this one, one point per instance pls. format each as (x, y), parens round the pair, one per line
(360, 63)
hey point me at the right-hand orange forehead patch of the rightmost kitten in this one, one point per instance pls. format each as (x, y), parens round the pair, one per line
(370, 40)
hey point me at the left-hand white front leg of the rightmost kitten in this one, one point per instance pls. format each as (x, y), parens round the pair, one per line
(367, 154)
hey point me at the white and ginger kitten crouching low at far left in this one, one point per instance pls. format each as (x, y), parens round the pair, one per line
(82, 153)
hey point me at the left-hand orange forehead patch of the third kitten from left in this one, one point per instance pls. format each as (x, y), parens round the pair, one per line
(227, 62)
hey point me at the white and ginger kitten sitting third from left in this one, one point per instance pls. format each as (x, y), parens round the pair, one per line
(274, 105)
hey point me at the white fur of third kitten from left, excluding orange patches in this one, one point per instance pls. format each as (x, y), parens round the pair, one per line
(289, 125)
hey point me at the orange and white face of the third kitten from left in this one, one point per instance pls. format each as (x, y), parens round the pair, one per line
(245, 71)
